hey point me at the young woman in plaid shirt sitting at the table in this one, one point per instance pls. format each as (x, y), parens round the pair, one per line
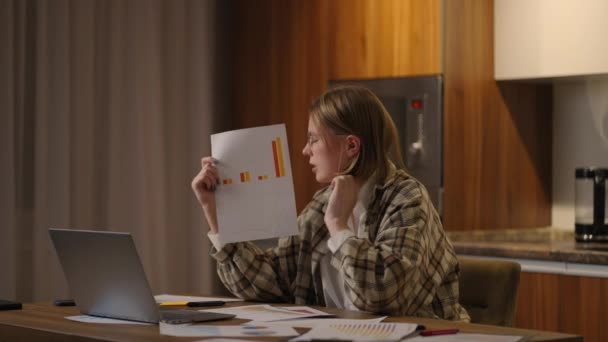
(371, 240)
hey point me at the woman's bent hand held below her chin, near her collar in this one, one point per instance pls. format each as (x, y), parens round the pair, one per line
(342, 201)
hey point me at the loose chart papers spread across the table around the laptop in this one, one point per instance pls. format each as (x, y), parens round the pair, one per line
(279, 322)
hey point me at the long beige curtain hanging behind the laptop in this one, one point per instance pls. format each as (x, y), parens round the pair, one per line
(107, 107)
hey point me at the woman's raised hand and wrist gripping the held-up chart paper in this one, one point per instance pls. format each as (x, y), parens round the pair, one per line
(203, 186)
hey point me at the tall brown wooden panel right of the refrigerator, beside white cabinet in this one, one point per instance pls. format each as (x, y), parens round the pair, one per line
(497, 139)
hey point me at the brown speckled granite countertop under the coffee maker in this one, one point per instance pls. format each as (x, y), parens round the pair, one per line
(546, 244)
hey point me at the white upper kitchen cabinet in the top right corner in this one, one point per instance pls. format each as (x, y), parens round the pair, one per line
(550, 38)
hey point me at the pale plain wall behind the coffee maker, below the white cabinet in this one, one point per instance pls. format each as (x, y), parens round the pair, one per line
(580, 138)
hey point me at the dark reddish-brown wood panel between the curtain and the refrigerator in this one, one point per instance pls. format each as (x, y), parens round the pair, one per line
(280, 67)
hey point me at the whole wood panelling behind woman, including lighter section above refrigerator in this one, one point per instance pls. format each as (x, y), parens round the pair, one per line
(285, 52)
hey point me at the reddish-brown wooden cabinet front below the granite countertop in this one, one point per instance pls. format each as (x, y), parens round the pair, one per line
(576, 305)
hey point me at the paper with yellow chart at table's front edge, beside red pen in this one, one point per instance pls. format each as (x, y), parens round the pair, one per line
(359, 332)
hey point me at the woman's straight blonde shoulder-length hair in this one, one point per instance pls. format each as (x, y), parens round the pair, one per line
(355, 110)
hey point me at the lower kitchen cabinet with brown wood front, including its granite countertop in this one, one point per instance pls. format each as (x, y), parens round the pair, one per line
(563, 284)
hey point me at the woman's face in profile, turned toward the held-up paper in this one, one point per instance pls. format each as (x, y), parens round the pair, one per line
(325, 152)
